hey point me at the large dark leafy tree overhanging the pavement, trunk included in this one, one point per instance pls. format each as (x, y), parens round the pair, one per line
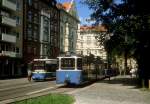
(129, 21)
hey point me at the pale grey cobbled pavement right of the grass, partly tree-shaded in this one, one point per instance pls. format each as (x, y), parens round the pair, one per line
(119, 90)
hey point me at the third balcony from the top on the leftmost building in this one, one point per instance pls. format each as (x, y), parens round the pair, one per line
(8, 38)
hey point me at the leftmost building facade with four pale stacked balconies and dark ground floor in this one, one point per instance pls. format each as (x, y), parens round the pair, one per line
(11, 27)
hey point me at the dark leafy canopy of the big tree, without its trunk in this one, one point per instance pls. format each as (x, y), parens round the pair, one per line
(124, 20)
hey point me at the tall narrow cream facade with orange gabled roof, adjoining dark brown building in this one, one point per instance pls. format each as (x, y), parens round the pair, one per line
(68, 27)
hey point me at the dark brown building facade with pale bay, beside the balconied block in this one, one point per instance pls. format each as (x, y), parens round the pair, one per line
(41, 29)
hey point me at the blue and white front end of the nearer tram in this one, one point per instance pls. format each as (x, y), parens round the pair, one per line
(69, 70)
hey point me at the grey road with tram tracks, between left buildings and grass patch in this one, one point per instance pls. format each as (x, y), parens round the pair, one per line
(12, 90)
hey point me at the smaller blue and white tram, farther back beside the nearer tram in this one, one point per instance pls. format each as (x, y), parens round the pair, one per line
(44, 68)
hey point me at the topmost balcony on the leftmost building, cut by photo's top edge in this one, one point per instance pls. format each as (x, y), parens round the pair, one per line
(8, 4)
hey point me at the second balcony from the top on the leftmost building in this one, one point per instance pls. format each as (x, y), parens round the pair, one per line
(8, 21)
